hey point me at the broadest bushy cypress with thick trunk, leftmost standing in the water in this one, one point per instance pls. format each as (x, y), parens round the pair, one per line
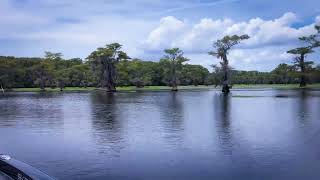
(104, 60)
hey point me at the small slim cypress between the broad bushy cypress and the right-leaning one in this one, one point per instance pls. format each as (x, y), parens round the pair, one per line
(174, 58)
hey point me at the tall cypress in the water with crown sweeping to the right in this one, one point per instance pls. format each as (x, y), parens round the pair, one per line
(222, 47)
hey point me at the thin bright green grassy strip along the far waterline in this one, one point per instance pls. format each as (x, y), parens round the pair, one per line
(166, 88)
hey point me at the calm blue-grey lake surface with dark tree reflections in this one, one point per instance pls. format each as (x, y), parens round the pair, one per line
(256, 134)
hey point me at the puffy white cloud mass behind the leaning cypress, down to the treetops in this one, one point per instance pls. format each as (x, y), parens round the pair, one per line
(270, 39)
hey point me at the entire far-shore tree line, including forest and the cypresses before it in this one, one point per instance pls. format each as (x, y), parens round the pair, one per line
(109, 67)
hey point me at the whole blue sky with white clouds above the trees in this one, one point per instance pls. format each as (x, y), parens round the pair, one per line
(145, 28)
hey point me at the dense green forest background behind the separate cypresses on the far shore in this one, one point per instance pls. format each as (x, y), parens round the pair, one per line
(53, 71)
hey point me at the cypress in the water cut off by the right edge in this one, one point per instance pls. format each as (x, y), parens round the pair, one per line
(312, 42)
